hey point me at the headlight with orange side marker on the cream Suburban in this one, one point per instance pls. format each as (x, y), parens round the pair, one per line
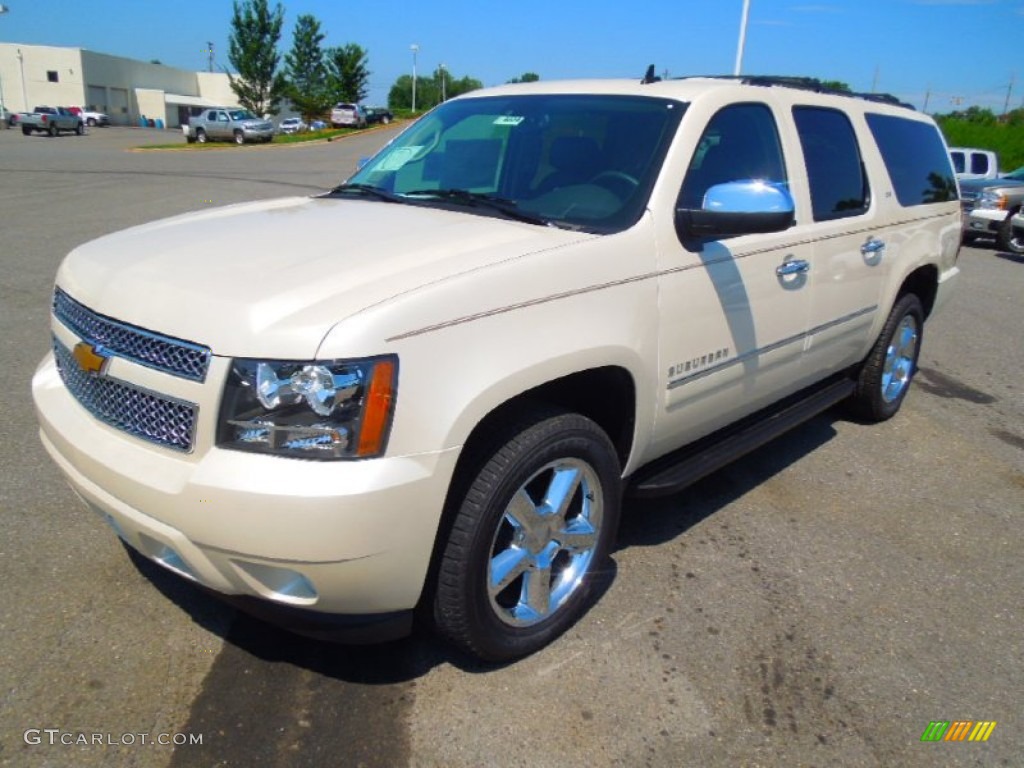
(318, 410)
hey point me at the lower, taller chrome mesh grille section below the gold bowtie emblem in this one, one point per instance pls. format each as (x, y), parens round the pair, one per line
(152, 417)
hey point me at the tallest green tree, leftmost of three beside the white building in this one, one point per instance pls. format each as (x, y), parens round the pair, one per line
(253, 54)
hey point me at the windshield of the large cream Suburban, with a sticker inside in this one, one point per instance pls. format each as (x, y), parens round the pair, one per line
(587, 162)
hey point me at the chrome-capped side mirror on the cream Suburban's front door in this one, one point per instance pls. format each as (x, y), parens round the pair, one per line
(738, 208)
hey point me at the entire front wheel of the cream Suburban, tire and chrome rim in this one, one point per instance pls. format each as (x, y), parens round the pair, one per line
(533, 529)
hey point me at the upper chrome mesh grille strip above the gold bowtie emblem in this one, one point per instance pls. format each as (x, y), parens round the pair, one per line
(172, 356)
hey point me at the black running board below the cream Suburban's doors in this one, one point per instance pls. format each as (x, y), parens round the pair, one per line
(685, 467)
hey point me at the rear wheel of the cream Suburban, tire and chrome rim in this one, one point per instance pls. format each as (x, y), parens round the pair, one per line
(886, 375)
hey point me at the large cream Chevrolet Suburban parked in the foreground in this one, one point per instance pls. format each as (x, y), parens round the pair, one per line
(558, 292)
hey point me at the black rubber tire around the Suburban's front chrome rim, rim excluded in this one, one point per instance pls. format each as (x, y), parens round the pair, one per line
(463, 609)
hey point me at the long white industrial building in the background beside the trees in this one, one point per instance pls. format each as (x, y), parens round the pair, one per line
(132, 93)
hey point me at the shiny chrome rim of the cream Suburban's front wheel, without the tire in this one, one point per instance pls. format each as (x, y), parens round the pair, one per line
(545, 542)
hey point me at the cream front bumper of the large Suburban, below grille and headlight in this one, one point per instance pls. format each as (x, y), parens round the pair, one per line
(325, 538)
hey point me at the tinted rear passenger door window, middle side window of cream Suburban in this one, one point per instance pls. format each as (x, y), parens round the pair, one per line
(835, 170)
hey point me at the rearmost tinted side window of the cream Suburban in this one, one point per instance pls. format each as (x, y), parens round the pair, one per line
(916, 158)
